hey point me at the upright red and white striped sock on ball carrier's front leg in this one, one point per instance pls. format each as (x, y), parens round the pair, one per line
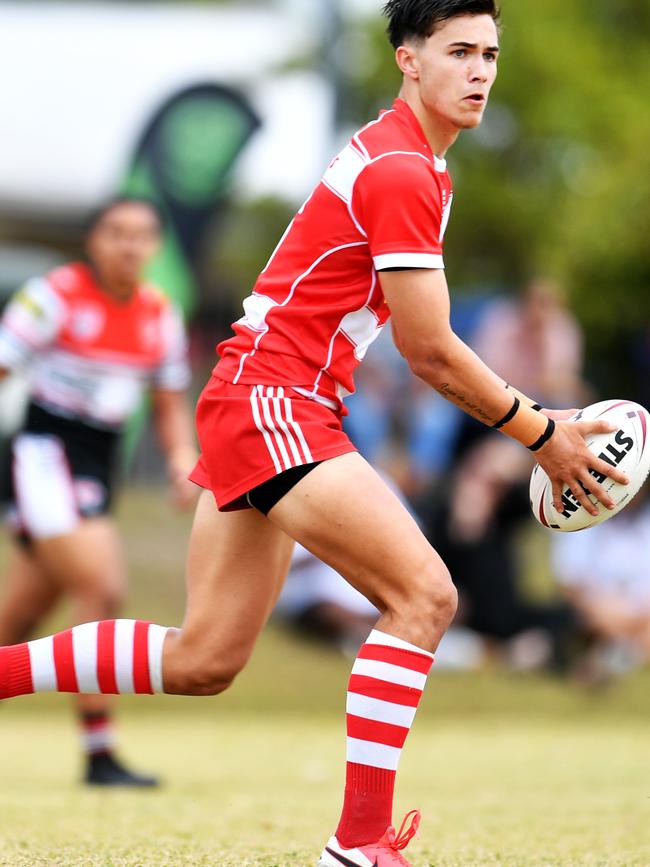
(385, 687)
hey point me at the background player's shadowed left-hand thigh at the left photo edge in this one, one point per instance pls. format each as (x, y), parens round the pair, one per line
(28, 596)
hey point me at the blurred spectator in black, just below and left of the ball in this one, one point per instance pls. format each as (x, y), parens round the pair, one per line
(475, 529)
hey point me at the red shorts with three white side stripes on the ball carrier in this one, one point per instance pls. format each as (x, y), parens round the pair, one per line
(250, 433)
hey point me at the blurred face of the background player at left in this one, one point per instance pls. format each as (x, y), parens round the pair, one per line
(122, 242)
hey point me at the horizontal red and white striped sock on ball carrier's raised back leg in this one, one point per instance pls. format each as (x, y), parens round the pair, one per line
(111, 657)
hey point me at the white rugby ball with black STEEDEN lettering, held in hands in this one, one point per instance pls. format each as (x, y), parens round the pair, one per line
(627, 447)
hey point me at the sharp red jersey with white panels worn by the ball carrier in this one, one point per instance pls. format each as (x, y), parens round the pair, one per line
(383, 203)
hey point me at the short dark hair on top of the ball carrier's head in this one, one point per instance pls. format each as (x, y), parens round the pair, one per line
(409, 19)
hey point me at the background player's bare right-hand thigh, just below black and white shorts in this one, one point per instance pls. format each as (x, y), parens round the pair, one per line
(86, 561)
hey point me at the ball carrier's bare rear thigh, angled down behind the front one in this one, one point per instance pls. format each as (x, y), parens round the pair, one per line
(237, 562)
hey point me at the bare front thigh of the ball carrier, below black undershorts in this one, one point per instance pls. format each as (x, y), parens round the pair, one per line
(348, 517)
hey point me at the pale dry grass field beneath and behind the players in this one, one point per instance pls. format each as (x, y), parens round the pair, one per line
(522, 771)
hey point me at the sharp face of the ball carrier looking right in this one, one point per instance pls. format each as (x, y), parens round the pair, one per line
(456, 67)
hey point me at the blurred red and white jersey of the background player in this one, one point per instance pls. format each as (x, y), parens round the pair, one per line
(91, 356)
